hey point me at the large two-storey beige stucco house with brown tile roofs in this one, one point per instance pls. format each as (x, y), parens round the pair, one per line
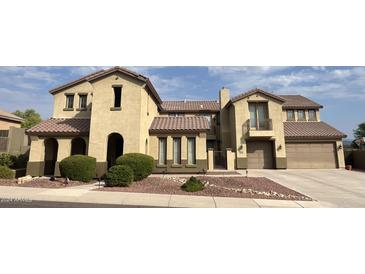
(117, 111)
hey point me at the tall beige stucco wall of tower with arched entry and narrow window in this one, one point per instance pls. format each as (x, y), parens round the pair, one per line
(131, 121)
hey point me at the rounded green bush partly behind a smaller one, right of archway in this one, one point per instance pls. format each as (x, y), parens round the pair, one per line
(141, 164)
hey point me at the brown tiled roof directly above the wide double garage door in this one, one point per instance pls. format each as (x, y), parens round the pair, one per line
(311, 130)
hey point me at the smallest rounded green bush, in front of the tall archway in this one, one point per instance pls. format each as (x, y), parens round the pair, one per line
(119, 175)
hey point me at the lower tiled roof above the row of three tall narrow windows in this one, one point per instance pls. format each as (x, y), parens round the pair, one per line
(178, 124)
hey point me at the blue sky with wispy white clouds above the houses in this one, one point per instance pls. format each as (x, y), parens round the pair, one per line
(340, 89)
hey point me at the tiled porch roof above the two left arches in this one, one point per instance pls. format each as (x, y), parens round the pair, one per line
(61, 127)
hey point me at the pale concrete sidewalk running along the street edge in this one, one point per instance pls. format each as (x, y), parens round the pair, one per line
(85, 195)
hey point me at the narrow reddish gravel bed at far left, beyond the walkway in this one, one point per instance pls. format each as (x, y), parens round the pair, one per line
(42, 183)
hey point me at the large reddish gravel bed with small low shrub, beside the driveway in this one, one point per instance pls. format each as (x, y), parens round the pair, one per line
(240, 187)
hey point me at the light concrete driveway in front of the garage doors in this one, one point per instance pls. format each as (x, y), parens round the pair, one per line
(331, 187)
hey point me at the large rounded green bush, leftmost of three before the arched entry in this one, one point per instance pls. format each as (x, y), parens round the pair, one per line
(78, 168)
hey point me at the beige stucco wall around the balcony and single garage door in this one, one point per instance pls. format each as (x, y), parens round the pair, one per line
(242, 115)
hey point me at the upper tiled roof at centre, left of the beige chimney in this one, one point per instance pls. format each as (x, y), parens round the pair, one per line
(190, 106)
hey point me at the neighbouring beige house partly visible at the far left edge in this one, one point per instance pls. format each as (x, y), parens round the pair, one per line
(12, 137)
